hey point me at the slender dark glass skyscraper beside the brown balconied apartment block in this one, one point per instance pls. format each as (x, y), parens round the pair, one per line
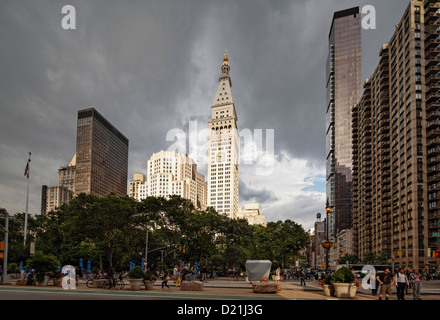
(344, 88)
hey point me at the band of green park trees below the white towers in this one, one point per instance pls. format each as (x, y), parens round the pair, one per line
(110, 232)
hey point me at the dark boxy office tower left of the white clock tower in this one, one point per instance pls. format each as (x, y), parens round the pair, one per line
(101, 156)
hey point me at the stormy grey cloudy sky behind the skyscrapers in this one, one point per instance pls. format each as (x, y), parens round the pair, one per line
(151, 67)
